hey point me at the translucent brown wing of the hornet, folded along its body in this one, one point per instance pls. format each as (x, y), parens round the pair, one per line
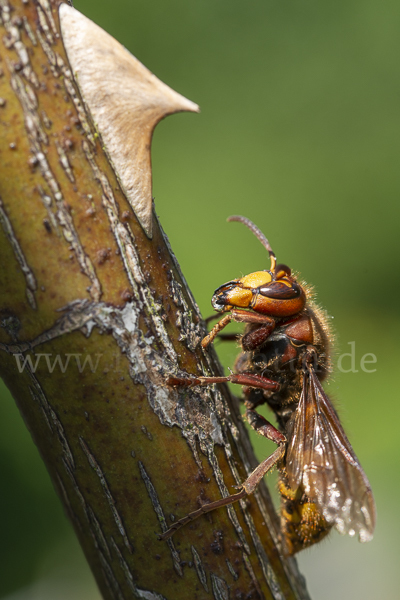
(321, 460)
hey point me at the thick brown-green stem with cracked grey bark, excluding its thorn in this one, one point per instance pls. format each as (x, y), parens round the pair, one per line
(94, 316)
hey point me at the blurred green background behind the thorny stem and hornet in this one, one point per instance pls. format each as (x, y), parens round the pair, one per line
(299, 131)
